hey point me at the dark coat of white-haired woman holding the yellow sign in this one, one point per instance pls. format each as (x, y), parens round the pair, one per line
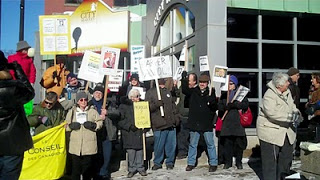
(131, 139)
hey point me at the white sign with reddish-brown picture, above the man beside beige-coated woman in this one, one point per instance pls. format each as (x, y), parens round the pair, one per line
(109, 60)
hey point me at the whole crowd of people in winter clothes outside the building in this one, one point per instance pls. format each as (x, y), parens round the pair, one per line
(187, 124)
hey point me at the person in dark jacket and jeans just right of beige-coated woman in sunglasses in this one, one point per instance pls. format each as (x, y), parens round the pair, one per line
(108, 133)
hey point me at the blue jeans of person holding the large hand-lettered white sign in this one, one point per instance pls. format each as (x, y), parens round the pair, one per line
(164, 144)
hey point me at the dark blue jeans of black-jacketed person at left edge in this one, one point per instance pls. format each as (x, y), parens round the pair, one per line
(10, 167)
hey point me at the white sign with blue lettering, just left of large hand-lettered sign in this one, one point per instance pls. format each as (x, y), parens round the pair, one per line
(137, 53)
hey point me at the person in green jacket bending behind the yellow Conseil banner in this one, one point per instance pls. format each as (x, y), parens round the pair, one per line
(49, 113)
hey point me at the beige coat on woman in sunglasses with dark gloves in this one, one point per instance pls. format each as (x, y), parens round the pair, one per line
(83, 141)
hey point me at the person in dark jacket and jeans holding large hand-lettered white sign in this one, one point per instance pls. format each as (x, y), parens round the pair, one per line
(164, 127)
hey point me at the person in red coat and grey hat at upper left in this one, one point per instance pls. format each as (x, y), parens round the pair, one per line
(26, 62)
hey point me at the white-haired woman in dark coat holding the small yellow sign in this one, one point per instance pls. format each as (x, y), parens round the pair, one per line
(132, 136)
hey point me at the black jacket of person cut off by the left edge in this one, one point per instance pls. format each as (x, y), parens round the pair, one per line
(15, 135)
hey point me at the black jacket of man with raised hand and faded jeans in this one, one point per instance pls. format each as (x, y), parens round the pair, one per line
(202, 107)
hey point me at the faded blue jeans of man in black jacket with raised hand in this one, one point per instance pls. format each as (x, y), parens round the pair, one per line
(192, 153)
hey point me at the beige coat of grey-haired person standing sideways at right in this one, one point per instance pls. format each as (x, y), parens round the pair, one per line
(276, 109)
